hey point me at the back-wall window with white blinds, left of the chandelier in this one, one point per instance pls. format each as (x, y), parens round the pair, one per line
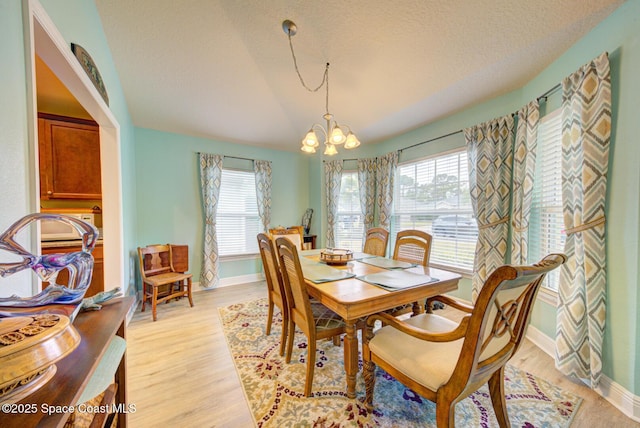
(238, 222)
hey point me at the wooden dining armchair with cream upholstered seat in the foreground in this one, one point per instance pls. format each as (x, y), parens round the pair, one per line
(445, 361)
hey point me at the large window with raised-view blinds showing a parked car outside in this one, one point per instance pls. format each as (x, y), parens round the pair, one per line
(433, 195)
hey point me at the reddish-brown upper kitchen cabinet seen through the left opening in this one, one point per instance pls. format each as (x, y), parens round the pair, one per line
(69, 158)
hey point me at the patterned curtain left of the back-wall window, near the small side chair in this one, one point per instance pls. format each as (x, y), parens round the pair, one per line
(210, 178)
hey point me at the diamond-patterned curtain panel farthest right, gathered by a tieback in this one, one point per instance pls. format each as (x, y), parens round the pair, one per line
(586, 132)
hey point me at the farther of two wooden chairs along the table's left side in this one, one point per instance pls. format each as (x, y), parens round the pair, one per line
(275, 287)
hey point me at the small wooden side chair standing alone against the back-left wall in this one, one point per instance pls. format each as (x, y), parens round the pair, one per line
(160, 283)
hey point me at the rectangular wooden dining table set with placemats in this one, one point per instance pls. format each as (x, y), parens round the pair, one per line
(354, 299)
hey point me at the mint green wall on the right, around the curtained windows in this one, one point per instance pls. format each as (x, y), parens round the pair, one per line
(619, 34)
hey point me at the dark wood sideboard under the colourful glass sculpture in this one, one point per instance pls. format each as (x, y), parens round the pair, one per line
(96, 328)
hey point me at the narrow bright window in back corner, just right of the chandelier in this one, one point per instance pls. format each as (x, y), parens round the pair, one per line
(350, 225)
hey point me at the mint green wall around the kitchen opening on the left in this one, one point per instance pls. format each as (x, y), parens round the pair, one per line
(17, 164)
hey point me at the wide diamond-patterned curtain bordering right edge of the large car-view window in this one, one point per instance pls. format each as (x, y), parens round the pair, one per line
(490, 150)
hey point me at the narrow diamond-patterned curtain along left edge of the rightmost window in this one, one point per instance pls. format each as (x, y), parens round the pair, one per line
(524, 164)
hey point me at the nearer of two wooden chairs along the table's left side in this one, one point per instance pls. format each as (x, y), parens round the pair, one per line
(315, 320)
